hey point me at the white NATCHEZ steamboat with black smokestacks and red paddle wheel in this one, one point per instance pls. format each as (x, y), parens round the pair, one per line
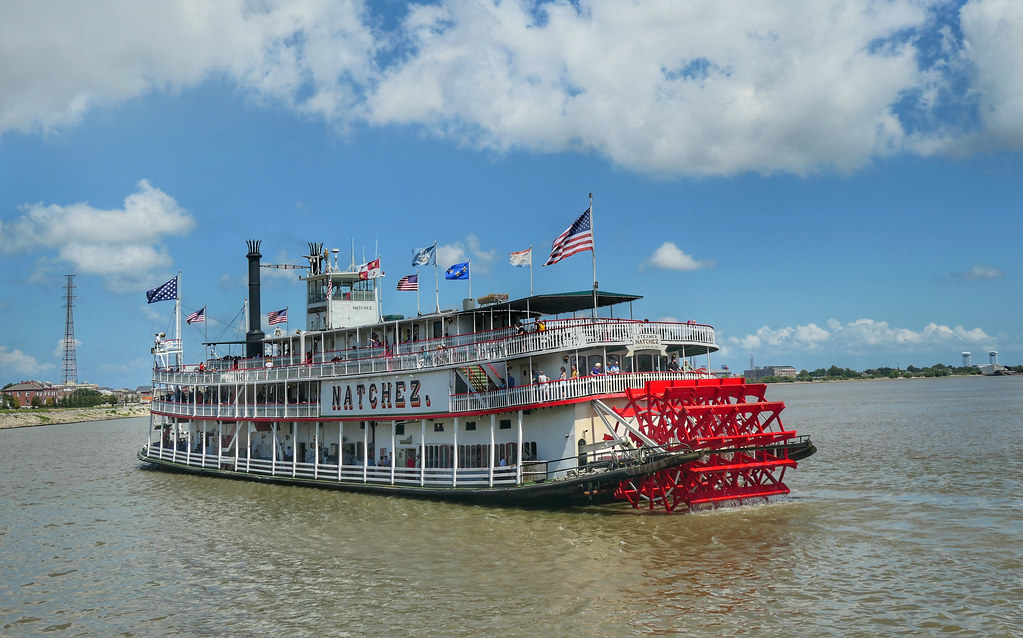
(551, 400)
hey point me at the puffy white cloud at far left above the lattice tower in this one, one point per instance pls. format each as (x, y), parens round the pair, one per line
(123, 246)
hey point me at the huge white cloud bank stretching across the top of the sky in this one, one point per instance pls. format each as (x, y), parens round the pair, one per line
(706, 87)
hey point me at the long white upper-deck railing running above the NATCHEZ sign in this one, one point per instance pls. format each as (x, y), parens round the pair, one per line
(464, 350)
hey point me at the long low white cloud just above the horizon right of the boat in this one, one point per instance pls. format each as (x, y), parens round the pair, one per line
(858, 337)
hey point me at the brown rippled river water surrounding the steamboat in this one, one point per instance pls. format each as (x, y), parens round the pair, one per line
(908, 522)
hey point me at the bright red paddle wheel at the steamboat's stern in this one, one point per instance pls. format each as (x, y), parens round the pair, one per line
(745, 445)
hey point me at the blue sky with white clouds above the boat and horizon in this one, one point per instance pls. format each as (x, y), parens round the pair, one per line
(827, 184)
